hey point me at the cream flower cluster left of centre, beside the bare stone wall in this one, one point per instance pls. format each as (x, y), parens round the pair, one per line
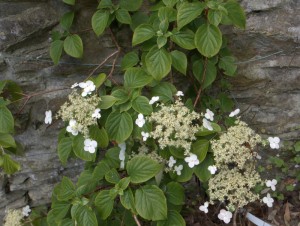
(80, 112)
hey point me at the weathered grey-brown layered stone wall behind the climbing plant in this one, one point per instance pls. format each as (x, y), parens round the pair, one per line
(268, 86)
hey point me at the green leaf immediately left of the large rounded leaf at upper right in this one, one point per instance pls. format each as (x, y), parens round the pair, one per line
(184, 38)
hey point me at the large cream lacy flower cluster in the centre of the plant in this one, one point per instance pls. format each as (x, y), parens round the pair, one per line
(174, 126)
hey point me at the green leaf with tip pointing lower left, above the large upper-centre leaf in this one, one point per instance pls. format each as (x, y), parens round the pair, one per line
(142, 33)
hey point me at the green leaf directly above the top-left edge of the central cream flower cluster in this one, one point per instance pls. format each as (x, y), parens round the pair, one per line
(165, 91)
